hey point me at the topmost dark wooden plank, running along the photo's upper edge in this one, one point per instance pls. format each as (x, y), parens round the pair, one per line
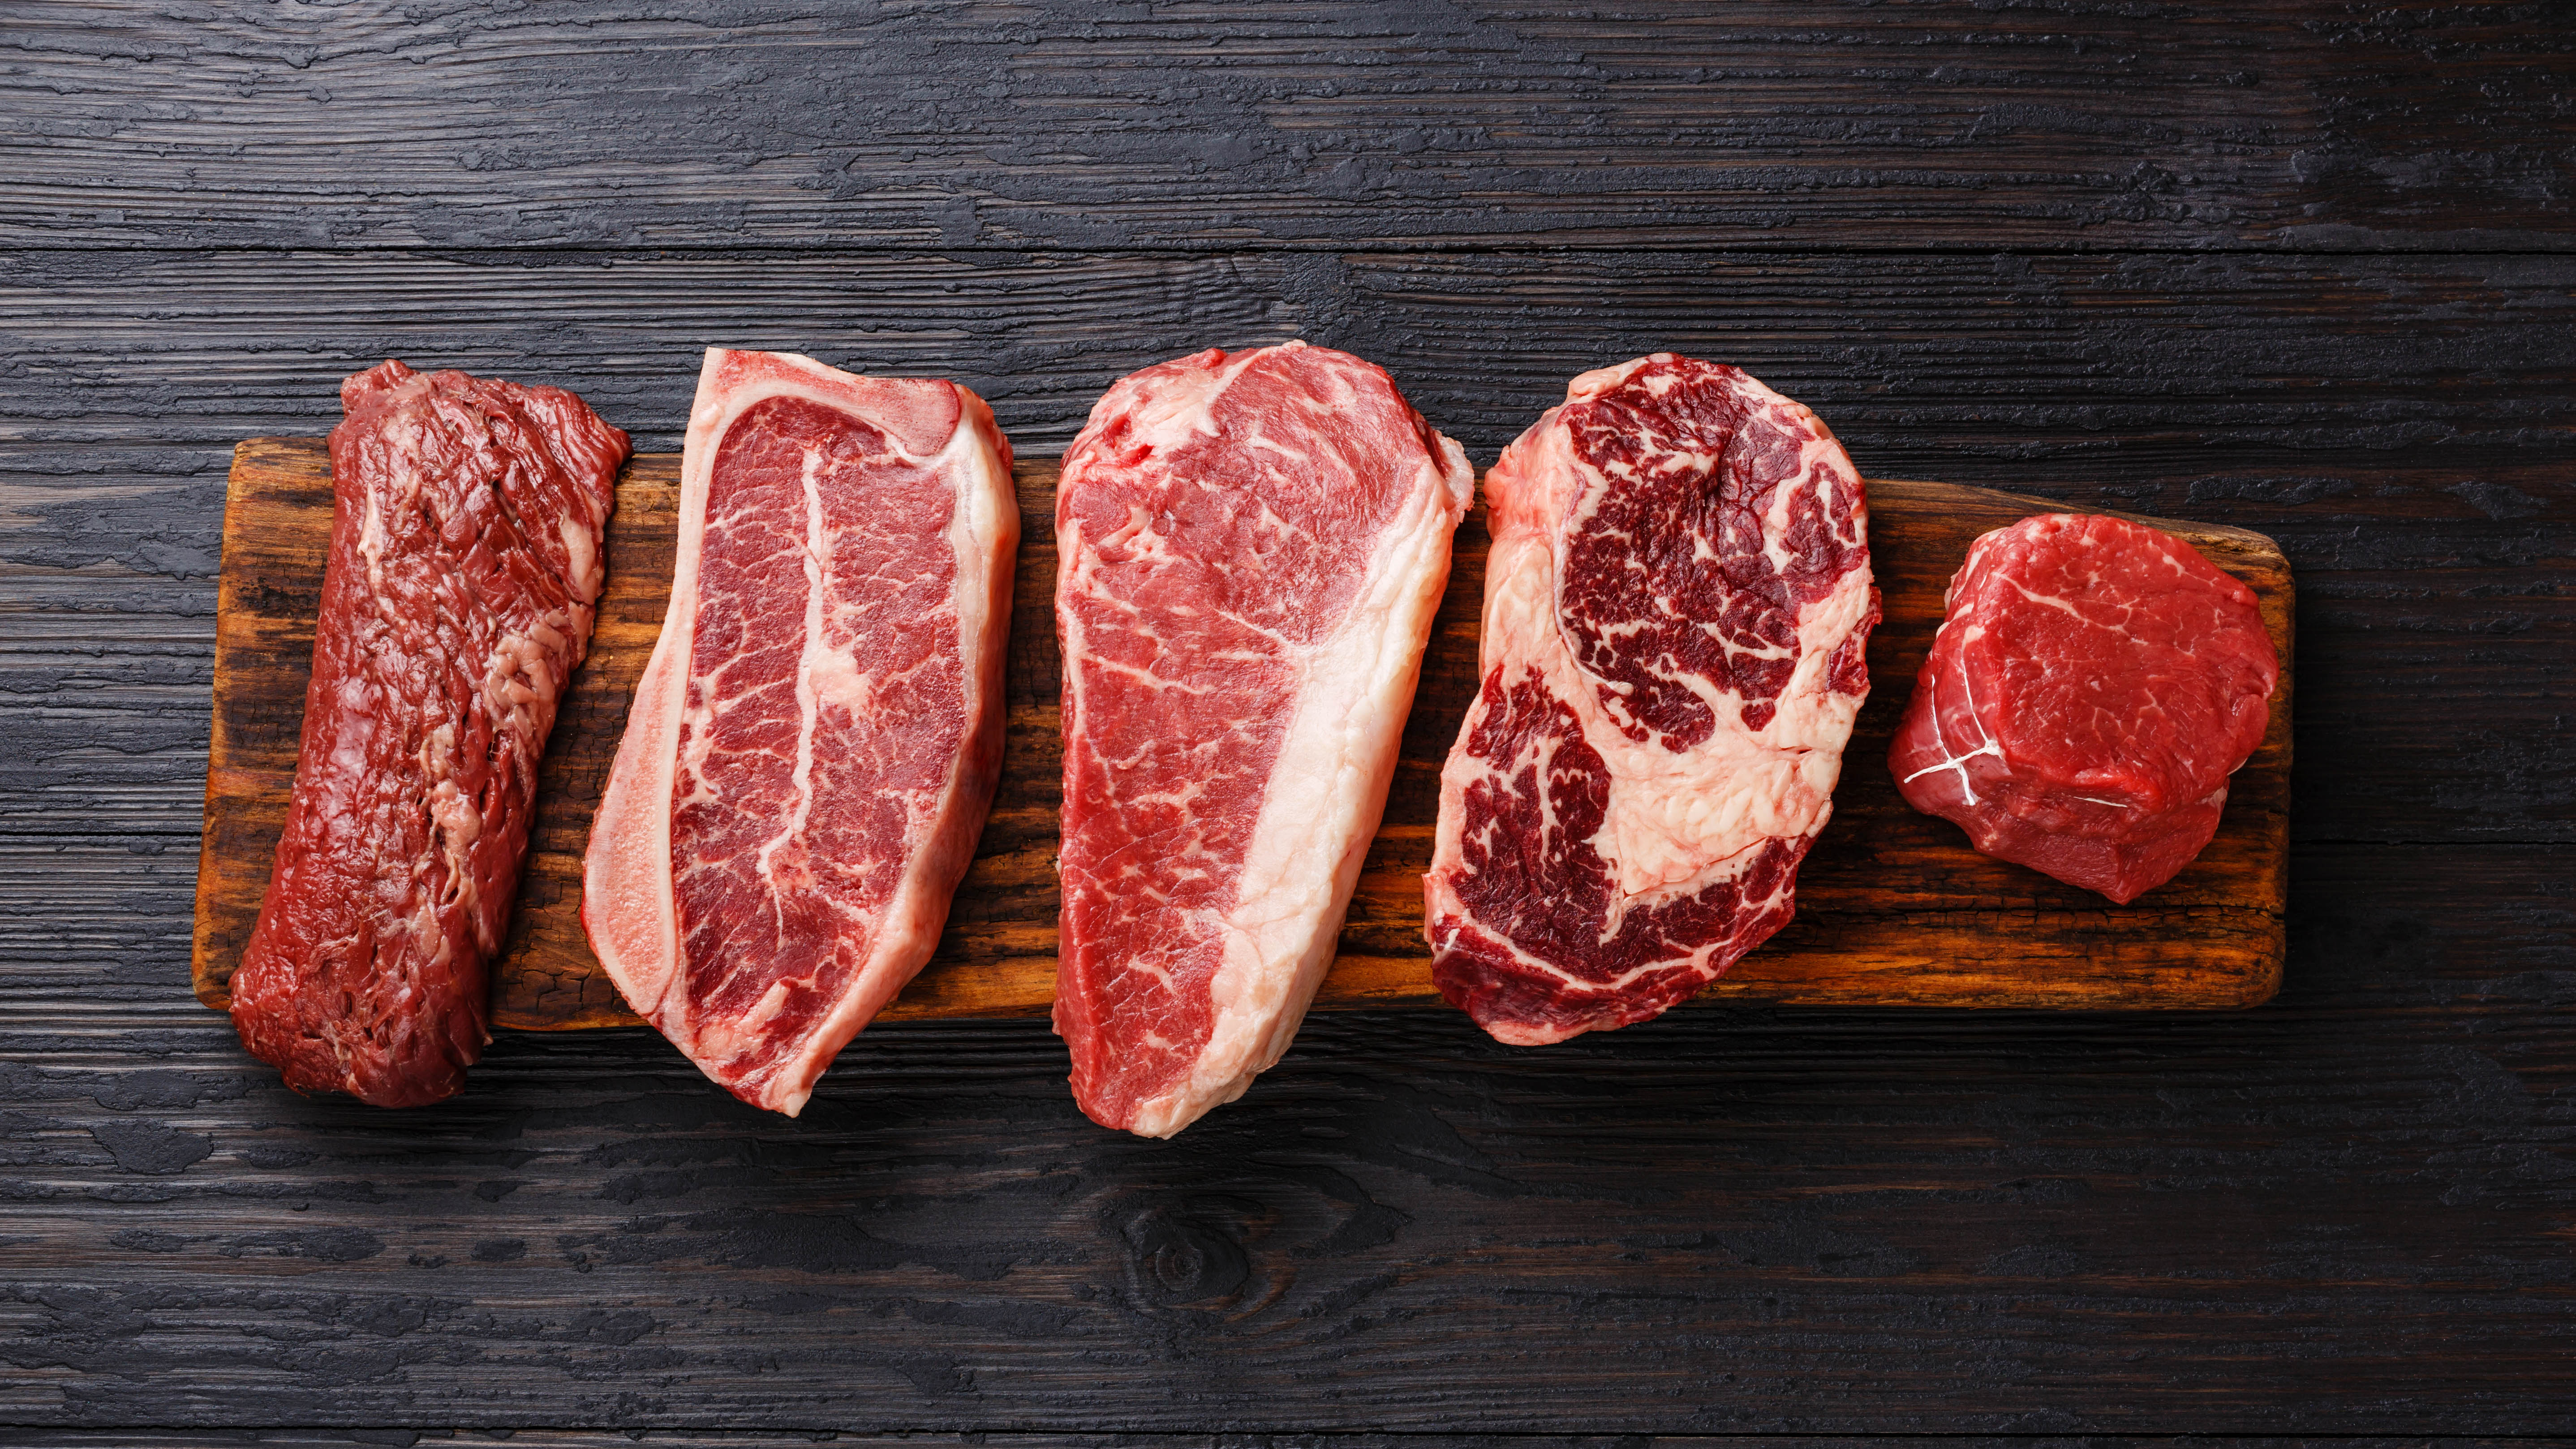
(1289, 122)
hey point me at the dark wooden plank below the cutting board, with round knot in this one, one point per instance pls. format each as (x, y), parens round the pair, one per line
(2343, 1214)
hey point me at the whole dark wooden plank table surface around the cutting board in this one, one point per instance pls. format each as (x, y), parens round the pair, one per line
(2302, 269)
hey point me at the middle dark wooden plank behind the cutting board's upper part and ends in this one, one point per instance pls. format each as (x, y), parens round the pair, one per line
(2397, 423)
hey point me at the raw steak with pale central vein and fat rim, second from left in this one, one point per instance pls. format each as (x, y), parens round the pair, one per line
(820, 727)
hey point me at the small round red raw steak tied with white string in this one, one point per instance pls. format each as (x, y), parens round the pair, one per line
(2085, 701)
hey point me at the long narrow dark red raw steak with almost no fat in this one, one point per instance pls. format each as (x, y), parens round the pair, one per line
(465, 562)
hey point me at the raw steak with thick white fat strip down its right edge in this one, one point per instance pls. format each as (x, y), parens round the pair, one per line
(1251, 552)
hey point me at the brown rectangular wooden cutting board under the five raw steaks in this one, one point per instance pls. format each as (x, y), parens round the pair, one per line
(1895, 910)
